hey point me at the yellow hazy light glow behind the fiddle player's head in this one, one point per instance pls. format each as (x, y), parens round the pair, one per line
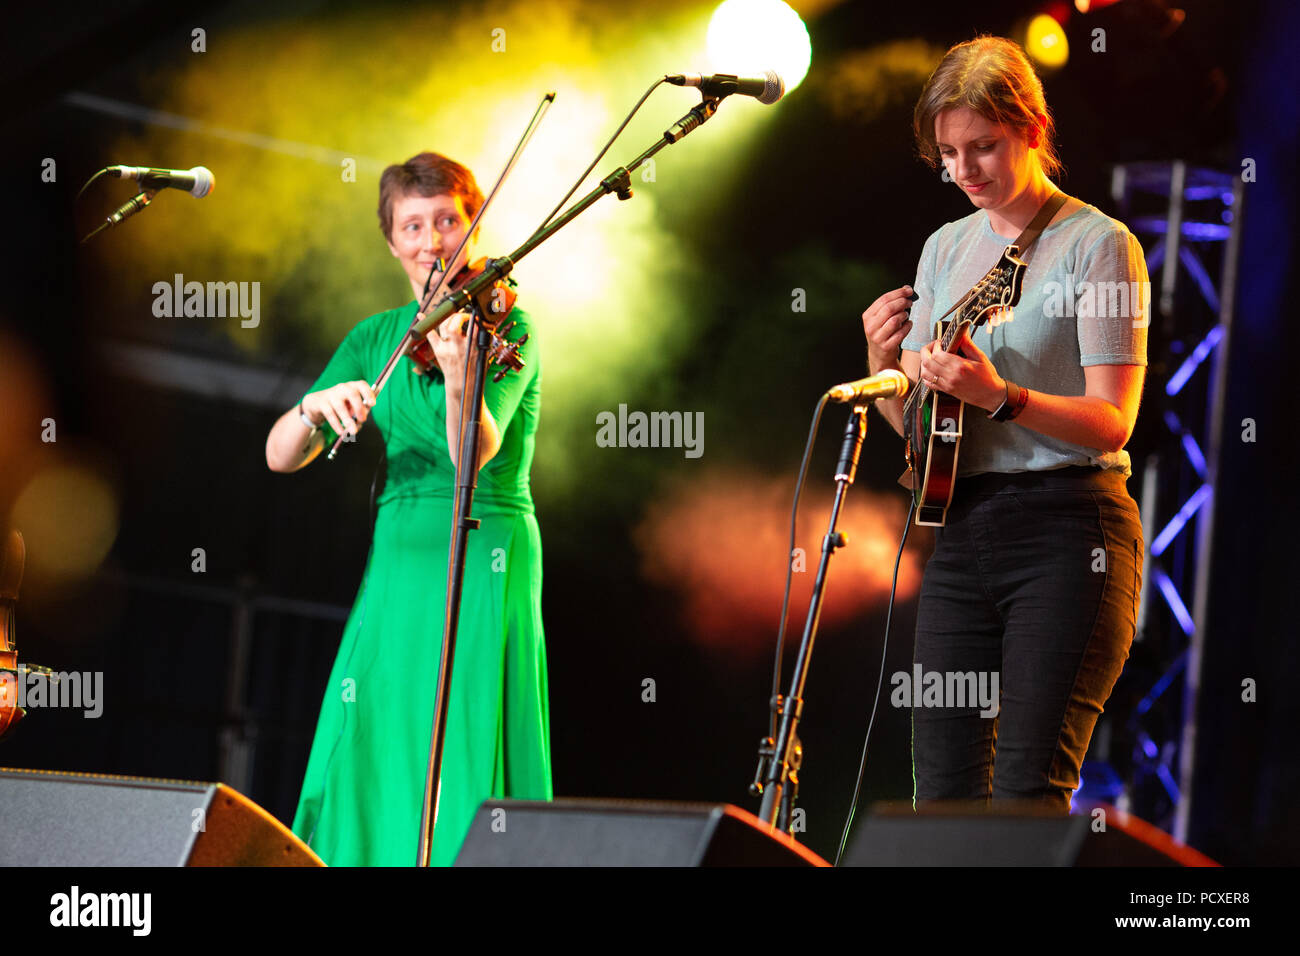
(618, 279)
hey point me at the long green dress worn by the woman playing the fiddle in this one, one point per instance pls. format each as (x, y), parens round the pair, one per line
(363, 790)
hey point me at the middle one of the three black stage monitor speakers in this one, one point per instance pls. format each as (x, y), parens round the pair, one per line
(625, 833)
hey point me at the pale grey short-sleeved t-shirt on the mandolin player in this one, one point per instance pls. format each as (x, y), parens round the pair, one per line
(1086, 301)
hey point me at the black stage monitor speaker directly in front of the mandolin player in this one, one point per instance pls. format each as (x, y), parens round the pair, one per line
(954, 834)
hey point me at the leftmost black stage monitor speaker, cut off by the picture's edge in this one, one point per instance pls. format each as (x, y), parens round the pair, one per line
(54, 819)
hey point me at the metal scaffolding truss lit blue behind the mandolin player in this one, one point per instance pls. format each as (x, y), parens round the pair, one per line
(1181, 214)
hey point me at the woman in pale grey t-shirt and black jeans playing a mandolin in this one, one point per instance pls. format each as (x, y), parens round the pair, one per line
(1038, 561)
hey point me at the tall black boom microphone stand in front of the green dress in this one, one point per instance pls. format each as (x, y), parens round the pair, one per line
(467, 464)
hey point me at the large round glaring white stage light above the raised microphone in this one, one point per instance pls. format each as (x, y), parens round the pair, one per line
(749, 37)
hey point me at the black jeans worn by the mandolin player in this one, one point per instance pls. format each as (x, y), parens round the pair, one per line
(1034, 579)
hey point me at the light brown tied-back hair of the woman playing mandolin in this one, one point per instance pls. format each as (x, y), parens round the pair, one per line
(990, 76)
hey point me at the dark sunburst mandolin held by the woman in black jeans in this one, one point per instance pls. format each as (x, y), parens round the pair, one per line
(931, 419)
